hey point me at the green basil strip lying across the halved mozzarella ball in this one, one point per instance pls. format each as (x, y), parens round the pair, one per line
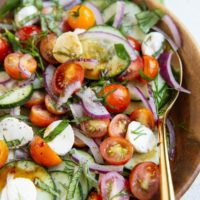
(61, 127)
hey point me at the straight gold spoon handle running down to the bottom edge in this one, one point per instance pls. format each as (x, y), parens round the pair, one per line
(166, 185)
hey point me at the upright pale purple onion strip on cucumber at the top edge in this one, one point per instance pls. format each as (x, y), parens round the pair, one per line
(120, 10)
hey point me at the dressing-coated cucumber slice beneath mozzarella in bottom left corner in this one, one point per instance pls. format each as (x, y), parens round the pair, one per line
(29, 170)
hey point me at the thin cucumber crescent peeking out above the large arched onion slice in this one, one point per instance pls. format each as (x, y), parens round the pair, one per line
(107, 29)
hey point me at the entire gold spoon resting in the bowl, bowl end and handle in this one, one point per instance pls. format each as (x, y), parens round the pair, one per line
(167, 190)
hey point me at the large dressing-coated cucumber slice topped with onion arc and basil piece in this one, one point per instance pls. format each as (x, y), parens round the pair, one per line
(105, 48)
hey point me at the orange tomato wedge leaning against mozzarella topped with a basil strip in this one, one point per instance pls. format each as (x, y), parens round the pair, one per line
(42, 154)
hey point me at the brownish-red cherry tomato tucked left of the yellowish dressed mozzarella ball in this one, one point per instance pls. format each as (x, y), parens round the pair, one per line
(46, 48)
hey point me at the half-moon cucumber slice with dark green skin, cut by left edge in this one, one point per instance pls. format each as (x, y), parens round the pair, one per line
(16, 97)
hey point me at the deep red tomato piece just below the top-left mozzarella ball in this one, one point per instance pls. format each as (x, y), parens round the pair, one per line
(27, 32)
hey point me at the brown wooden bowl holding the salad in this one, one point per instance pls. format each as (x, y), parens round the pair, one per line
(186, 111)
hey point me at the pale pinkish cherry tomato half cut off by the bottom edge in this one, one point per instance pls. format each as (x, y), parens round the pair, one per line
(111, 184)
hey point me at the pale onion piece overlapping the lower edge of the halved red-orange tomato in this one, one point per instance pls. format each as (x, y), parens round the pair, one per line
(69, 90)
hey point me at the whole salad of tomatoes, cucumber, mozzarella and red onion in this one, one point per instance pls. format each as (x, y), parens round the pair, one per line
(82, 86)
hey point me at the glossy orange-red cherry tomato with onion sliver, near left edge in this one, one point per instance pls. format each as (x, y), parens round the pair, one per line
(14, 61)
